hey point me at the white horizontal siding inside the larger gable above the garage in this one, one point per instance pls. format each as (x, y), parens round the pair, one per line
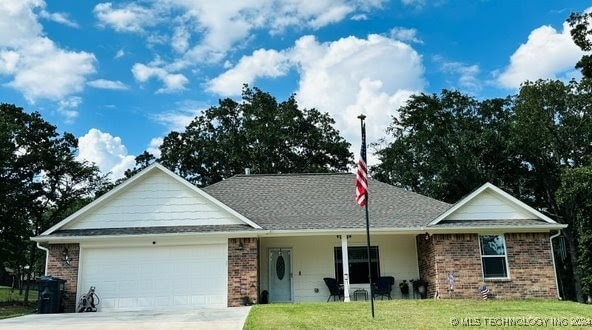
(156, 200)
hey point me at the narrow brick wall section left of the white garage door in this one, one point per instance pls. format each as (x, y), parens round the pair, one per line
(57, 268)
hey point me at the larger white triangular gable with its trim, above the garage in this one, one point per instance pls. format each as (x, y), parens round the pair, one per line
(154, 197)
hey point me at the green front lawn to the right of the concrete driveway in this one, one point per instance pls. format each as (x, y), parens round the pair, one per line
(422, 314)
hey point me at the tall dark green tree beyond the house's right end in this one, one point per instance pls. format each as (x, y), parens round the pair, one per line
(552, 134)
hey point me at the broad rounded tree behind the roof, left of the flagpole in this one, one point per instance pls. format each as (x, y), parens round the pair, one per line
(258, 133)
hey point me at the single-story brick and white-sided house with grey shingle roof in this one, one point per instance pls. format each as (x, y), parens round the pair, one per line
(157, 241)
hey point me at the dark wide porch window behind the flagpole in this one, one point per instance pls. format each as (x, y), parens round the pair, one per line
(358, 264)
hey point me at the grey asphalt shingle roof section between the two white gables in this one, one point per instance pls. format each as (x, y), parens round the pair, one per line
(322, 201)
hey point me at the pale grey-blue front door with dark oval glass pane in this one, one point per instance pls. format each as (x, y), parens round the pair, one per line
(280, 275)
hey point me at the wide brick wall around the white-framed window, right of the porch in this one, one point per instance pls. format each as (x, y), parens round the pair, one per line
(529, 258)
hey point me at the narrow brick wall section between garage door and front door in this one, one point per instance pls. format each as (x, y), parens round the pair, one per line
(242, 270)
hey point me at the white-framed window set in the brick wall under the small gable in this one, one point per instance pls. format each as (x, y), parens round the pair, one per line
(493, 256)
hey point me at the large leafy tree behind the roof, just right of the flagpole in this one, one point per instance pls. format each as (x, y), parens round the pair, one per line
(445, 146)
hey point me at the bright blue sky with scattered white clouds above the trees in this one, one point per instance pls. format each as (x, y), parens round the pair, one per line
(121, 75)
